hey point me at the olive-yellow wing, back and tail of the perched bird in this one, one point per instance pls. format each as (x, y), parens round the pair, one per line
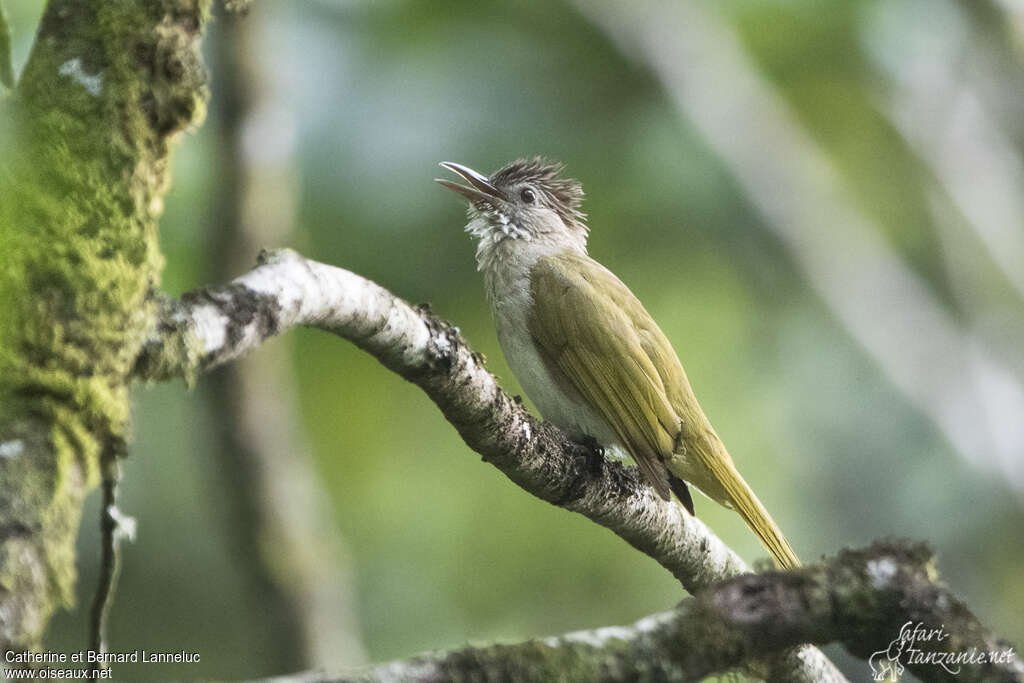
(625, 368)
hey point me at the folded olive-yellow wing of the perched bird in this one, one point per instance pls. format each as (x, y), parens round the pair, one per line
(589, 325)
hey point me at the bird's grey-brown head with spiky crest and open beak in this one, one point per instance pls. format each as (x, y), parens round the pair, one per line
(527, 200)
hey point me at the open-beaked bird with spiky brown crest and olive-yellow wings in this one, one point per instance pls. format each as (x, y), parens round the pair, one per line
(585, 351)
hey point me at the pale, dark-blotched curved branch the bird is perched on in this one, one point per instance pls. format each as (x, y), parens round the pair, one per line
(212, 326)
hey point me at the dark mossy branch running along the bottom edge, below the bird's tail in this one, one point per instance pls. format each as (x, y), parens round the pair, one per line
(862, 599)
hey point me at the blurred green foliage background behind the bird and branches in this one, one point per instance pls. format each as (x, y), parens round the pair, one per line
(444, 549)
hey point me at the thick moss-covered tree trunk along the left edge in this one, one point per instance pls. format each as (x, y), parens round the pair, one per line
(87, 139)
